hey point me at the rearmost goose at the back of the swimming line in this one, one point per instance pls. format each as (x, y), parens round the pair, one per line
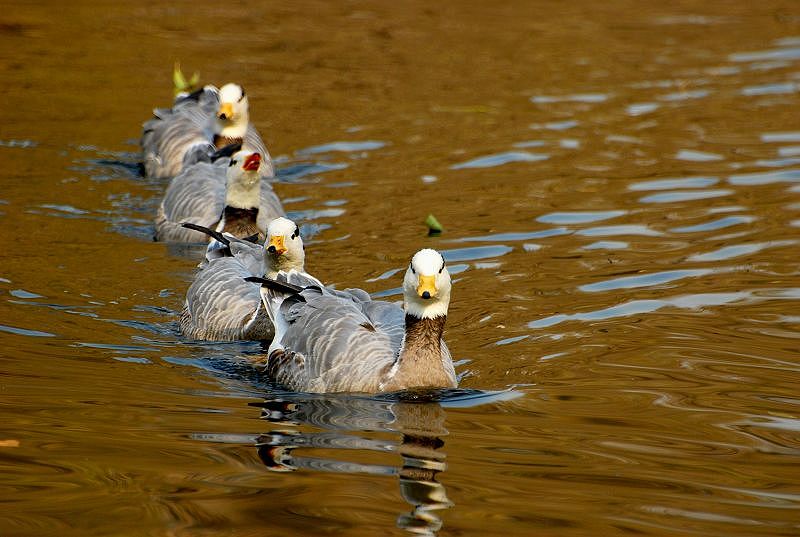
(197, 124)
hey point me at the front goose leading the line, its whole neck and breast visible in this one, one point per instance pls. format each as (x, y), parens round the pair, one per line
(342, 341)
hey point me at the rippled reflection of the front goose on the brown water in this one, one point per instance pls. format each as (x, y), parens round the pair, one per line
(418, 417)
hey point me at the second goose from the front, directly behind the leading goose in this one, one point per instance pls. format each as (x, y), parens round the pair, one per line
(220, 305)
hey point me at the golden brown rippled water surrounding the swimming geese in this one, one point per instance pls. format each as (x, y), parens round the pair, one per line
(620, 188)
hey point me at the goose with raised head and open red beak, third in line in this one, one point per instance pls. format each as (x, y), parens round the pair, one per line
(227, 195)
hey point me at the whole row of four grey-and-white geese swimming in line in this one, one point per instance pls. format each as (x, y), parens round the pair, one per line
(253, 284)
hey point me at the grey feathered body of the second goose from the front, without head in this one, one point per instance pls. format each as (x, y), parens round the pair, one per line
(221, 305)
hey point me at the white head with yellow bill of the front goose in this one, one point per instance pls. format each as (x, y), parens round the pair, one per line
(426, 286)
